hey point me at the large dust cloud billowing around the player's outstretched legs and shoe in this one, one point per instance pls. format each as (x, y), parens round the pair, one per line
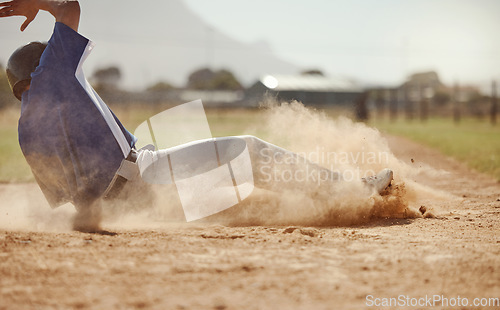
(354, 151)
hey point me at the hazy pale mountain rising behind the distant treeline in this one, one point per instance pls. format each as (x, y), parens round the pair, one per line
(169, 36)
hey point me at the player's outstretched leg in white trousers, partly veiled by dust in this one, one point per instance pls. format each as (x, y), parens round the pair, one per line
(273, 167)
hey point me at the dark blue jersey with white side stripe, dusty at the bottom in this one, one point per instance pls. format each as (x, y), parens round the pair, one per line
(72, 141)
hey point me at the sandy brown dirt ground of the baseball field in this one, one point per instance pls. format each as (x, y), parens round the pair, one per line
(454, 253)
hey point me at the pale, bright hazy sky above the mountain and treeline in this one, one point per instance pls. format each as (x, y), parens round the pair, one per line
(374, 41)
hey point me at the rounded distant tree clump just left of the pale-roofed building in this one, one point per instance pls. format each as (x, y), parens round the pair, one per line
(208, 79)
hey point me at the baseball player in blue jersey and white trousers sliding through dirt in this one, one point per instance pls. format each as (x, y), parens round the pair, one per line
(78, 150)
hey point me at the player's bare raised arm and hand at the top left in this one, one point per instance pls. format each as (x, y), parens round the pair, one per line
(64, 11)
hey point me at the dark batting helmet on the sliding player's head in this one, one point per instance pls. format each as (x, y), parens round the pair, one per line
(21, 64)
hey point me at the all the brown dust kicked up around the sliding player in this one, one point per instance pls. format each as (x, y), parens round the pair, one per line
(352, 150)
